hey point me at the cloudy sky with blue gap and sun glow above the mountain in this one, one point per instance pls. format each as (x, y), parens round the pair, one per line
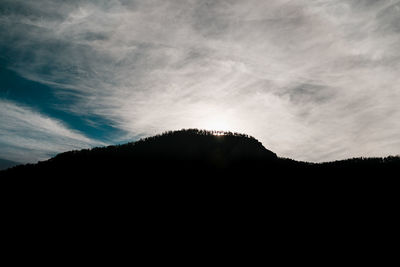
(313, 80)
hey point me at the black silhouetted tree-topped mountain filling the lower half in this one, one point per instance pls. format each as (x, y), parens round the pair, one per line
(191, 194)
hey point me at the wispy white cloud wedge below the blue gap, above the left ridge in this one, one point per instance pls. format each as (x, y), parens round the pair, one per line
(28, 136)
